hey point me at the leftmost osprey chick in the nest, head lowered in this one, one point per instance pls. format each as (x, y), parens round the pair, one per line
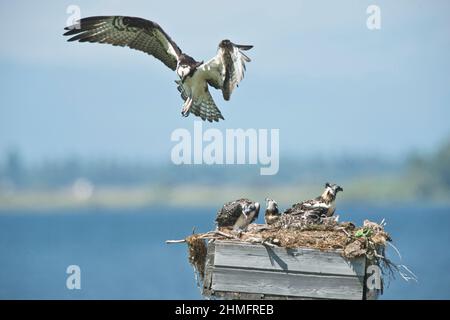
(237, 214)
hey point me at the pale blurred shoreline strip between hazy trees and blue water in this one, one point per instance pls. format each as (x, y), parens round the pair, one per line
(195, 196)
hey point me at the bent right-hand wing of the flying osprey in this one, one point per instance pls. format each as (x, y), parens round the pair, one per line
(227, 68)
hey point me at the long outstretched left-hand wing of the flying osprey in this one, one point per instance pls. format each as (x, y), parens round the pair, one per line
(135, 33)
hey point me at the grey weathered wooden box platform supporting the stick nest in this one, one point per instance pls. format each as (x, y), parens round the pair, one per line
(239, 270)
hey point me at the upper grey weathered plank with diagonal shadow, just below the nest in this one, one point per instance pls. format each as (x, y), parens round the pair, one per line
(242, 255)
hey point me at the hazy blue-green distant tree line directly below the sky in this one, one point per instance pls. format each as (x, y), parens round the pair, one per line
(430, 172)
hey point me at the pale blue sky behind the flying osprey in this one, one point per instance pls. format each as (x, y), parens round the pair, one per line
(318, 74)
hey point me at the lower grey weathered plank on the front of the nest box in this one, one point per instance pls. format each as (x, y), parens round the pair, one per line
(283, 283)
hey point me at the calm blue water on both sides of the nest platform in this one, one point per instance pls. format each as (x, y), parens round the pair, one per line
(122, 254)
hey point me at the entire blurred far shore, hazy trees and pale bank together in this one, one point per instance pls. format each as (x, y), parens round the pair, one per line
(75, 183)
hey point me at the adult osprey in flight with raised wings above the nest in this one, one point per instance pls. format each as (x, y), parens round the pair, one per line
(223, 72)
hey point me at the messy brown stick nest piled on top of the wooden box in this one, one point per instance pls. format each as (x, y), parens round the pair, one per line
(369, 240)
